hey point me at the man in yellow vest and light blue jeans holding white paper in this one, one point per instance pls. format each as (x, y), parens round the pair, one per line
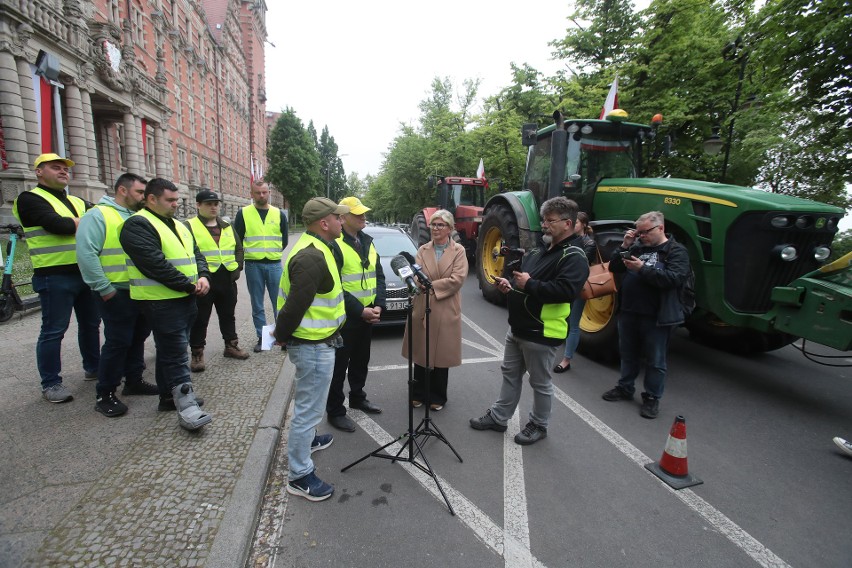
(263, 230)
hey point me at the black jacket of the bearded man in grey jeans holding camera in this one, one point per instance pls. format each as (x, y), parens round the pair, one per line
(556, 276)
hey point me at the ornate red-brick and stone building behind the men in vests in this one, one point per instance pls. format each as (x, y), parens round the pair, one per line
(162, 88)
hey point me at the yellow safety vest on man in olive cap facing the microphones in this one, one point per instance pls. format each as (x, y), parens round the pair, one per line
(327, 311)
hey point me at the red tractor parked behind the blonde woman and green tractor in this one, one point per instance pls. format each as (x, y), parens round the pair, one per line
(464, 198)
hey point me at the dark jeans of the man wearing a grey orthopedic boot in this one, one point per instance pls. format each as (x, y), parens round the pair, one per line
(170, 321)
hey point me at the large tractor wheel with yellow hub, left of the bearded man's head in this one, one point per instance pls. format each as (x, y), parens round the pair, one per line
(498, 227)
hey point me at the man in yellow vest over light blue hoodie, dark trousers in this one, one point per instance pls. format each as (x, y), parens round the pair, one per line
(103, 265)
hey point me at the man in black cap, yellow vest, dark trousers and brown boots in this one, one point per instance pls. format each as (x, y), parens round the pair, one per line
(223, 251)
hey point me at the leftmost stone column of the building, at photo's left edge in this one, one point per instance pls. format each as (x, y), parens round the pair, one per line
(11, 109)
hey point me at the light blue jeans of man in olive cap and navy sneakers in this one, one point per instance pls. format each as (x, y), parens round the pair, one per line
(314, 365)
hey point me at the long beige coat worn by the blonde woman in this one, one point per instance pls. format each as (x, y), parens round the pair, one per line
(447, 277)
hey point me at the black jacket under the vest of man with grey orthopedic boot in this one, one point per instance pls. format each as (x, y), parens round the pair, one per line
(141, 241)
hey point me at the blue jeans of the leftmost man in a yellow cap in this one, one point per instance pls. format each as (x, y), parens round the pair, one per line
(59, 294)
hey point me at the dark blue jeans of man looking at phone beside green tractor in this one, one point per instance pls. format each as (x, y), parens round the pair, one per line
(638, 336)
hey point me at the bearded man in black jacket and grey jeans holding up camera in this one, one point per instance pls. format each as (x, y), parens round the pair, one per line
(549, 279)
